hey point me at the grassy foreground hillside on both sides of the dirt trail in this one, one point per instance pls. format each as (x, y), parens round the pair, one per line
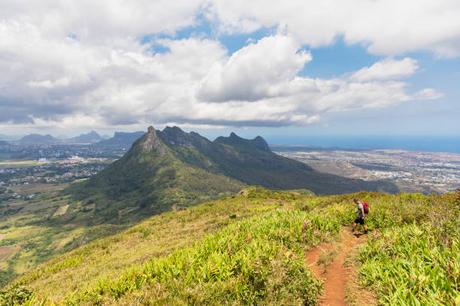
(250, 249)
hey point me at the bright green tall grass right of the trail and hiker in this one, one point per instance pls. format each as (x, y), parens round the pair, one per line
(416, 258)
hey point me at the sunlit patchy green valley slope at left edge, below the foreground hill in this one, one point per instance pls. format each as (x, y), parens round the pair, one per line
(33, 230)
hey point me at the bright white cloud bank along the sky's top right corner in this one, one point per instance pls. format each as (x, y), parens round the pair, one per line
(386, 27)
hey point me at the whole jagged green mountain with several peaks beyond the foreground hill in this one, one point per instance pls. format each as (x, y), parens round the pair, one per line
(172, 168)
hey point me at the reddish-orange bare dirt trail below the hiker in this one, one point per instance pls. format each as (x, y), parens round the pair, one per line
(327, 262)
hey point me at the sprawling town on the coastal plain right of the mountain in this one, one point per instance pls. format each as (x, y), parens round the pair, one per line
(427, 172)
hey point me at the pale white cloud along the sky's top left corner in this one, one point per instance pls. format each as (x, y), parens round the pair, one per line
(107, 21)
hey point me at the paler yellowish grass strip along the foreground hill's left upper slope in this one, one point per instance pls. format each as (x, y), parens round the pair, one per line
(158, 236)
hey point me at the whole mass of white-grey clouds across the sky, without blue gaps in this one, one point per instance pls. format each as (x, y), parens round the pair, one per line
(84, 64)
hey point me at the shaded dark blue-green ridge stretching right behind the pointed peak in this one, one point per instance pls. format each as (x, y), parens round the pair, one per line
(252, 162)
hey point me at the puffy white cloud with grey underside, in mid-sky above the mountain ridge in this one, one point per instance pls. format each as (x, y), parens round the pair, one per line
(256, 71)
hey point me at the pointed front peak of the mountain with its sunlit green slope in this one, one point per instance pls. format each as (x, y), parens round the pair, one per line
(149, 179)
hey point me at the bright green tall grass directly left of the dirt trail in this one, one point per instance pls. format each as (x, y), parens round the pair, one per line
(259, 260)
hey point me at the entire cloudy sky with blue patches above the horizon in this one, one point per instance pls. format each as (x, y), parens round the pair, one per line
(294, 66)
